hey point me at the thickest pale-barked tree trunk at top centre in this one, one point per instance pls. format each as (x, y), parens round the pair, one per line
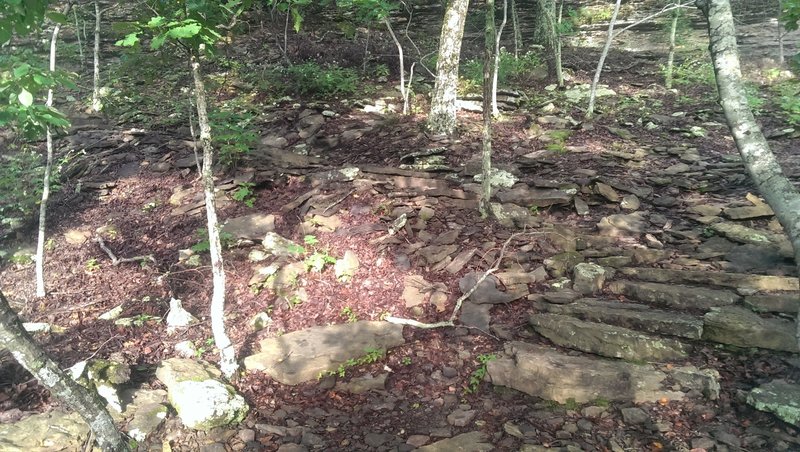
(442, 118)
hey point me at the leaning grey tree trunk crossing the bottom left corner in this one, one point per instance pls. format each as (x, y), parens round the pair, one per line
(33, 358)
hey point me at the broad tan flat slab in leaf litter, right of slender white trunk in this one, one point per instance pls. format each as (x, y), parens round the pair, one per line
(303, 355)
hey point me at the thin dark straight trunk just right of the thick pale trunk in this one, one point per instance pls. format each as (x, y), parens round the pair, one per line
(488, 87)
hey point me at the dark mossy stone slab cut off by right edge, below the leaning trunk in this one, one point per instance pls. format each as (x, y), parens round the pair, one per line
(742, 327)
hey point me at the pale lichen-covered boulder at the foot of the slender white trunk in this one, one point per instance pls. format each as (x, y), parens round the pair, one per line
(202, 401)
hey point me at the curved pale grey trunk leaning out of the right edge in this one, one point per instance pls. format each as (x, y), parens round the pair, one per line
(760, 162)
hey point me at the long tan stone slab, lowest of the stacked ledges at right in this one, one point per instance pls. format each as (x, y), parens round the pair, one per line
(544, 372)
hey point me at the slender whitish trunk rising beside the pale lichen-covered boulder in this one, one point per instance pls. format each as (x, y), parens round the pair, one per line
(227, 354)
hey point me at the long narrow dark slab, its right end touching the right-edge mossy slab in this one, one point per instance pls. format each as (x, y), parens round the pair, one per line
(634, 316)
